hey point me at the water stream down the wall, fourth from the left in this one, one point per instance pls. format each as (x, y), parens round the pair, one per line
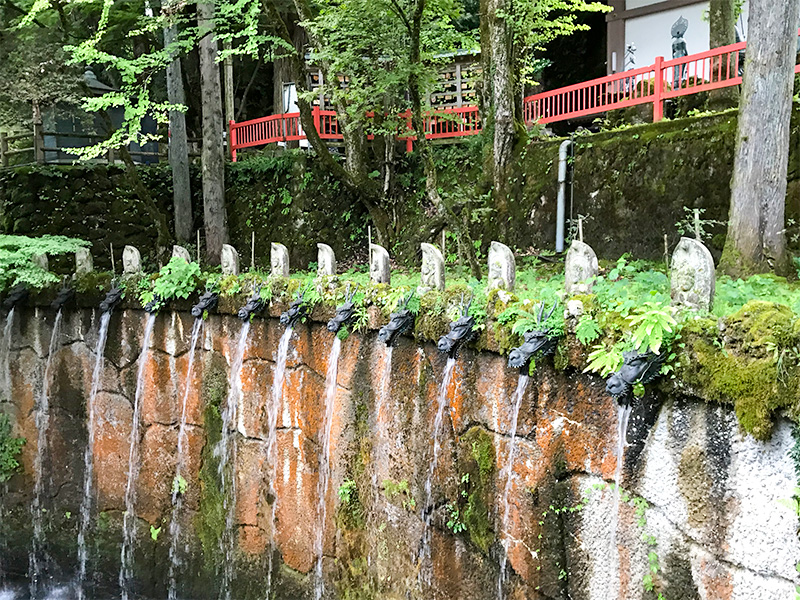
(129, 519)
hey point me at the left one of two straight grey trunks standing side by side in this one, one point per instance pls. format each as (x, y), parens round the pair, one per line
(178, 145)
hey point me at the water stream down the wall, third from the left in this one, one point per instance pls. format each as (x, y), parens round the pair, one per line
(88, 460)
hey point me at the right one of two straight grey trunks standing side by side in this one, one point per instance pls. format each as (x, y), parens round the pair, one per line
(213, 156)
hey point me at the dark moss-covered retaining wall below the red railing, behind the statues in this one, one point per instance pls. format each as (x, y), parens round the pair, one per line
(630, 185)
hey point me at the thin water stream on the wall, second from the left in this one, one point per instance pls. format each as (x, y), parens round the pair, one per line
(42, 418)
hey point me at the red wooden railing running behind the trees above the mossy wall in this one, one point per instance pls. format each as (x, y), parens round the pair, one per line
(664, 80)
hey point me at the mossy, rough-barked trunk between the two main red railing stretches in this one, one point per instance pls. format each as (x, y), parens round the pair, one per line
(502, 98)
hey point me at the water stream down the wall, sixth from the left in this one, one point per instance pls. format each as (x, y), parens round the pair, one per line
(226, 452)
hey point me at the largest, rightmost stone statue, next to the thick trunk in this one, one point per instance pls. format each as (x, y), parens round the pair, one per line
(692, 277)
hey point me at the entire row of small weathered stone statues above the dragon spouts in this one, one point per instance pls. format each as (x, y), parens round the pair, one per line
(691, 282)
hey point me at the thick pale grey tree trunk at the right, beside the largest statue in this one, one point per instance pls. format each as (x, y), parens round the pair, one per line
(756, 242)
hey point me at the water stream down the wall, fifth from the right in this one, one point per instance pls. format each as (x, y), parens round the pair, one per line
(324, 463)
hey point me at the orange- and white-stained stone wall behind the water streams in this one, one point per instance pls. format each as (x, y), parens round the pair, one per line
(382, 442)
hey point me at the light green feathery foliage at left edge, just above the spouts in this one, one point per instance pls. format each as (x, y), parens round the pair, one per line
(17, 254)
